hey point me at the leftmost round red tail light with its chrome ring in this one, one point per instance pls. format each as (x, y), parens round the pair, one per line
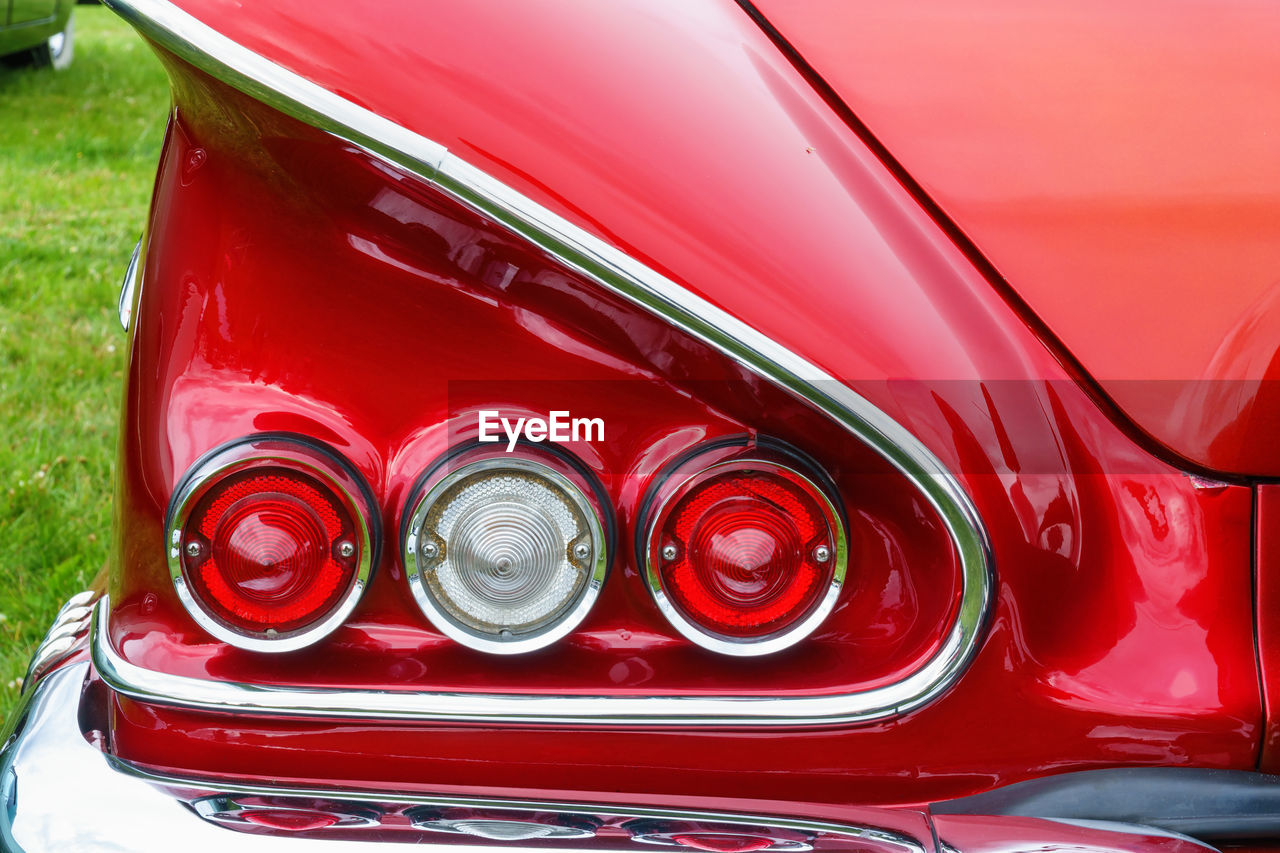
(269, 544)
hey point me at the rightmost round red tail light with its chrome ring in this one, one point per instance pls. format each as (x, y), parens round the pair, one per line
(746, 556)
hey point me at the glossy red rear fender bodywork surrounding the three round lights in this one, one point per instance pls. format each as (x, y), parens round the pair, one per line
(292, 285)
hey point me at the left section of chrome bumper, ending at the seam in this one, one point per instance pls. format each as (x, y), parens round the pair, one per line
(58, 792)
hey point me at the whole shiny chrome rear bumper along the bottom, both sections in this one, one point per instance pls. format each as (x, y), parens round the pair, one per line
(58, 792)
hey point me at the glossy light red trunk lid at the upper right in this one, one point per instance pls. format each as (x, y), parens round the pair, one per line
(1119, 165)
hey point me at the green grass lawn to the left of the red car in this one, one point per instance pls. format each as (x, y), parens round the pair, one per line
(79, 154)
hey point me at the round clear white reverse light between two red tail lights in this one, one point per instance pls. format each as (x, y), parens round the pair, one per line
(505, 556)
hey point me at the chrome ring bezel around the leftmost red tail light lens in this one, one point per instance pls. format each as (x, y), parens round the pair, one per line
(273, 450)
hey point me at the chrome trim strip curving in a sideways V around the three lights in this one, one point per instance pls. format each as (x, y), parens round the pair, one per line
(577, 249)
